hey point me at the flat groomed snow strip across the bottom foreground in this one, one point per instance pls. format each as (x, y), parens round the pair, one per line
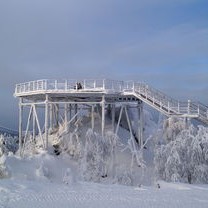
(24, 194)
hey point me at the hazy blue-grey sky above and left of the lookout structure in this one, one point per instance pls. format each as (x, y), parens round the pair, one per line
(162, 42)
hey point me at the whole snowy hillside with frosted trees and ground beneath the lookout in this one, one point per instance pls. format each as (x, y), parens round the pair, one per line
(84, 169)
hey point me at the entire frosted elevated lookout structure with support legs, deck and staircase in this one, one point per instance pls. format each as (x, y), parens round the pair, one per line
(69, 95)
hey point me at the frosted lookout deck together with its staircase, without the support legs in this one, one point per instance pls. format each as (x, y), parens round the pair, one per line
(90, 89)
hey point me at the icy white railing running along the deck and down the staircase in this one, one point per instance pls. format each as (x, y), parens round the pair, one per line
(152, 96)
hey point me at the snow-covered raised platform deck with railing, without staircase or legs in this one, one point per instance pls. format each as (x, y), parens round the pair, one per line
(74, 90)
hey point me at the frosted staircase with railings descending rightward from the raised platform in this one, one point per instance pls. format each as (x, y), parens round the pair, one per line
(168, 105)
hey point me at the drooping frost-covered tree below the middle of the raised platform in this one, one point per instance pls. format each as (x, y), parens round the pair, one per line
(98, 156)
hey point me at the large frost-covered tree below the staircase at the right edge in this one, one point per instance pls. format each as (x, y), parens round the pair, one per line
(185, 157)
